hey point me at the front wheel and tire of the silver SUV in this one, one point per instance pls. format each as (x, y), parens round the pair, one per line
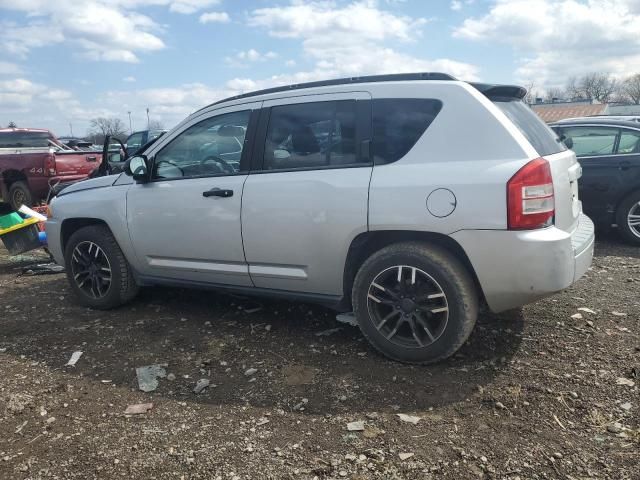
(121, 286)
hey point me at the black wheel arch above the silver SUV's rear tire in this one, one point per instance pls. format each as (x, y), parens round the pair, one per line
(367, 243)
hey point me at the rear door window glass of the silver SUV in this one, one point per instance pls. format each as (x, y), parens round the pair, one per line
(311, 135)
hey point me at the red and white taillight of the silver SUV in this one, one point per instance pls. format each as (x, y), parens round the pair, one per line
(530, 202)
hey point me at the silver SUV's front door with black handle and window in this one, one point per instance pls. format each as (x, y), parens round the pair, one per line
(185, 223)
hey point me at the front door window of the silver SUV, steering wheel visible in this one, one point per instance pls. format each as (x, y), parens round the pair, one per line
(211, 147)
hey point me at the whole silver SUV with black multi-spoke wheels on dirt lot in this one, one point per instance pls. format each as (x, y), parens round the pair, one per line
(411, 199)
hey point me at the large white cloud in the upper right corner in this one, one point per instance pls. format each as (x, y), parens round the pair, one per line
(557, 39)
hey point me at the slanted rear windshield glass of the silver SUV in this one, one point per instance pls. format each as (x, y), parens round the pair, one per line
(540, 136)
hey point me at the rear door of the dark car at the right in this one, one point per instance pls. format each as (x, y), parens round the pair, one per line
(595, 146)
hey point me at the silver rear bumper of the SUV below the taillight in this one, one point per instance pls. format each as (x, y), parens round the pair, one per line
(516, 268)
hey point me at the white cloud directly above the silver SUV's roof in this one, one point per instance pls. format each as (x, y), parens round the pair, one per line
(347, 40)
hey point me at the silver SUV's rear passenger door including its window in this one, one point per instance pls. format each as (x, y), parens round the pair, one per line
(306, 198)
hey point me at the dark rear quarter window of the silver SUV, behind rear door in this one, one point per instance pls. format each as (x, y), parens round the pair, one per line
(398, 123)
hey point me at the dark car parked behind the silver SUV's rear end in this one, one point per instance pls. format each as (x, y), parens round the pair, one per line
(609, 152)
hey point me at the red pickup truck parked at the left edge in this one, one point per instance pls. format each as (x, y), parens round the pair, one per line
(32, 160)
